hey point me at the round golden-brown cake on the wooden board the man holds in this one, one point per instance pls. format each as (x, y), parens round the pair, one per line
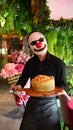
(43, 83)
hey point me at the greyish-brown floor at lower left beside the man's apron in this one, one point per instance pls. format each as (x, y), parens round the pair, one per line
(9, 112)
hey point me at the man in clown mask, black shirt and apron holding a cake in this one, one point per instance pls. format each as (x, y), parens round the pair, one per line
(41, 112)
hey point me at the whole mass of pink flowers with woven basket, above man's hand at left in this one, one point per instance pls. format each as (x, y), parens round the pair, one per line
(12, 71)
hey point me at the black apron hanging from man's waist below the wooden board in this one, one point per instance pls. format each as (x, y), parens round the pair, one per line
(41, 113)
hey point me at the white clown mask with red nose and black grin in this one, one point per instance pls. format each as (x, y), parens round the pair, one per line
(37, 43)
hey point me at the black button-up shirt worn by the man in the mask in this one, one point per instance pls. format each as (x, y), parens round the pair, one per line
(51, 66)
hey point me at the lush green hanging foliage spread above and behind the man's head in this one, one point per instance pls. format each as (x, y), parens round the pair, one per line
(25, 16)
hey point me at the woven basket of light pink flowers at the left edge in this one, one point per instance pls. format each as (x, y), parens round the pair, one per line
(12, 72)
